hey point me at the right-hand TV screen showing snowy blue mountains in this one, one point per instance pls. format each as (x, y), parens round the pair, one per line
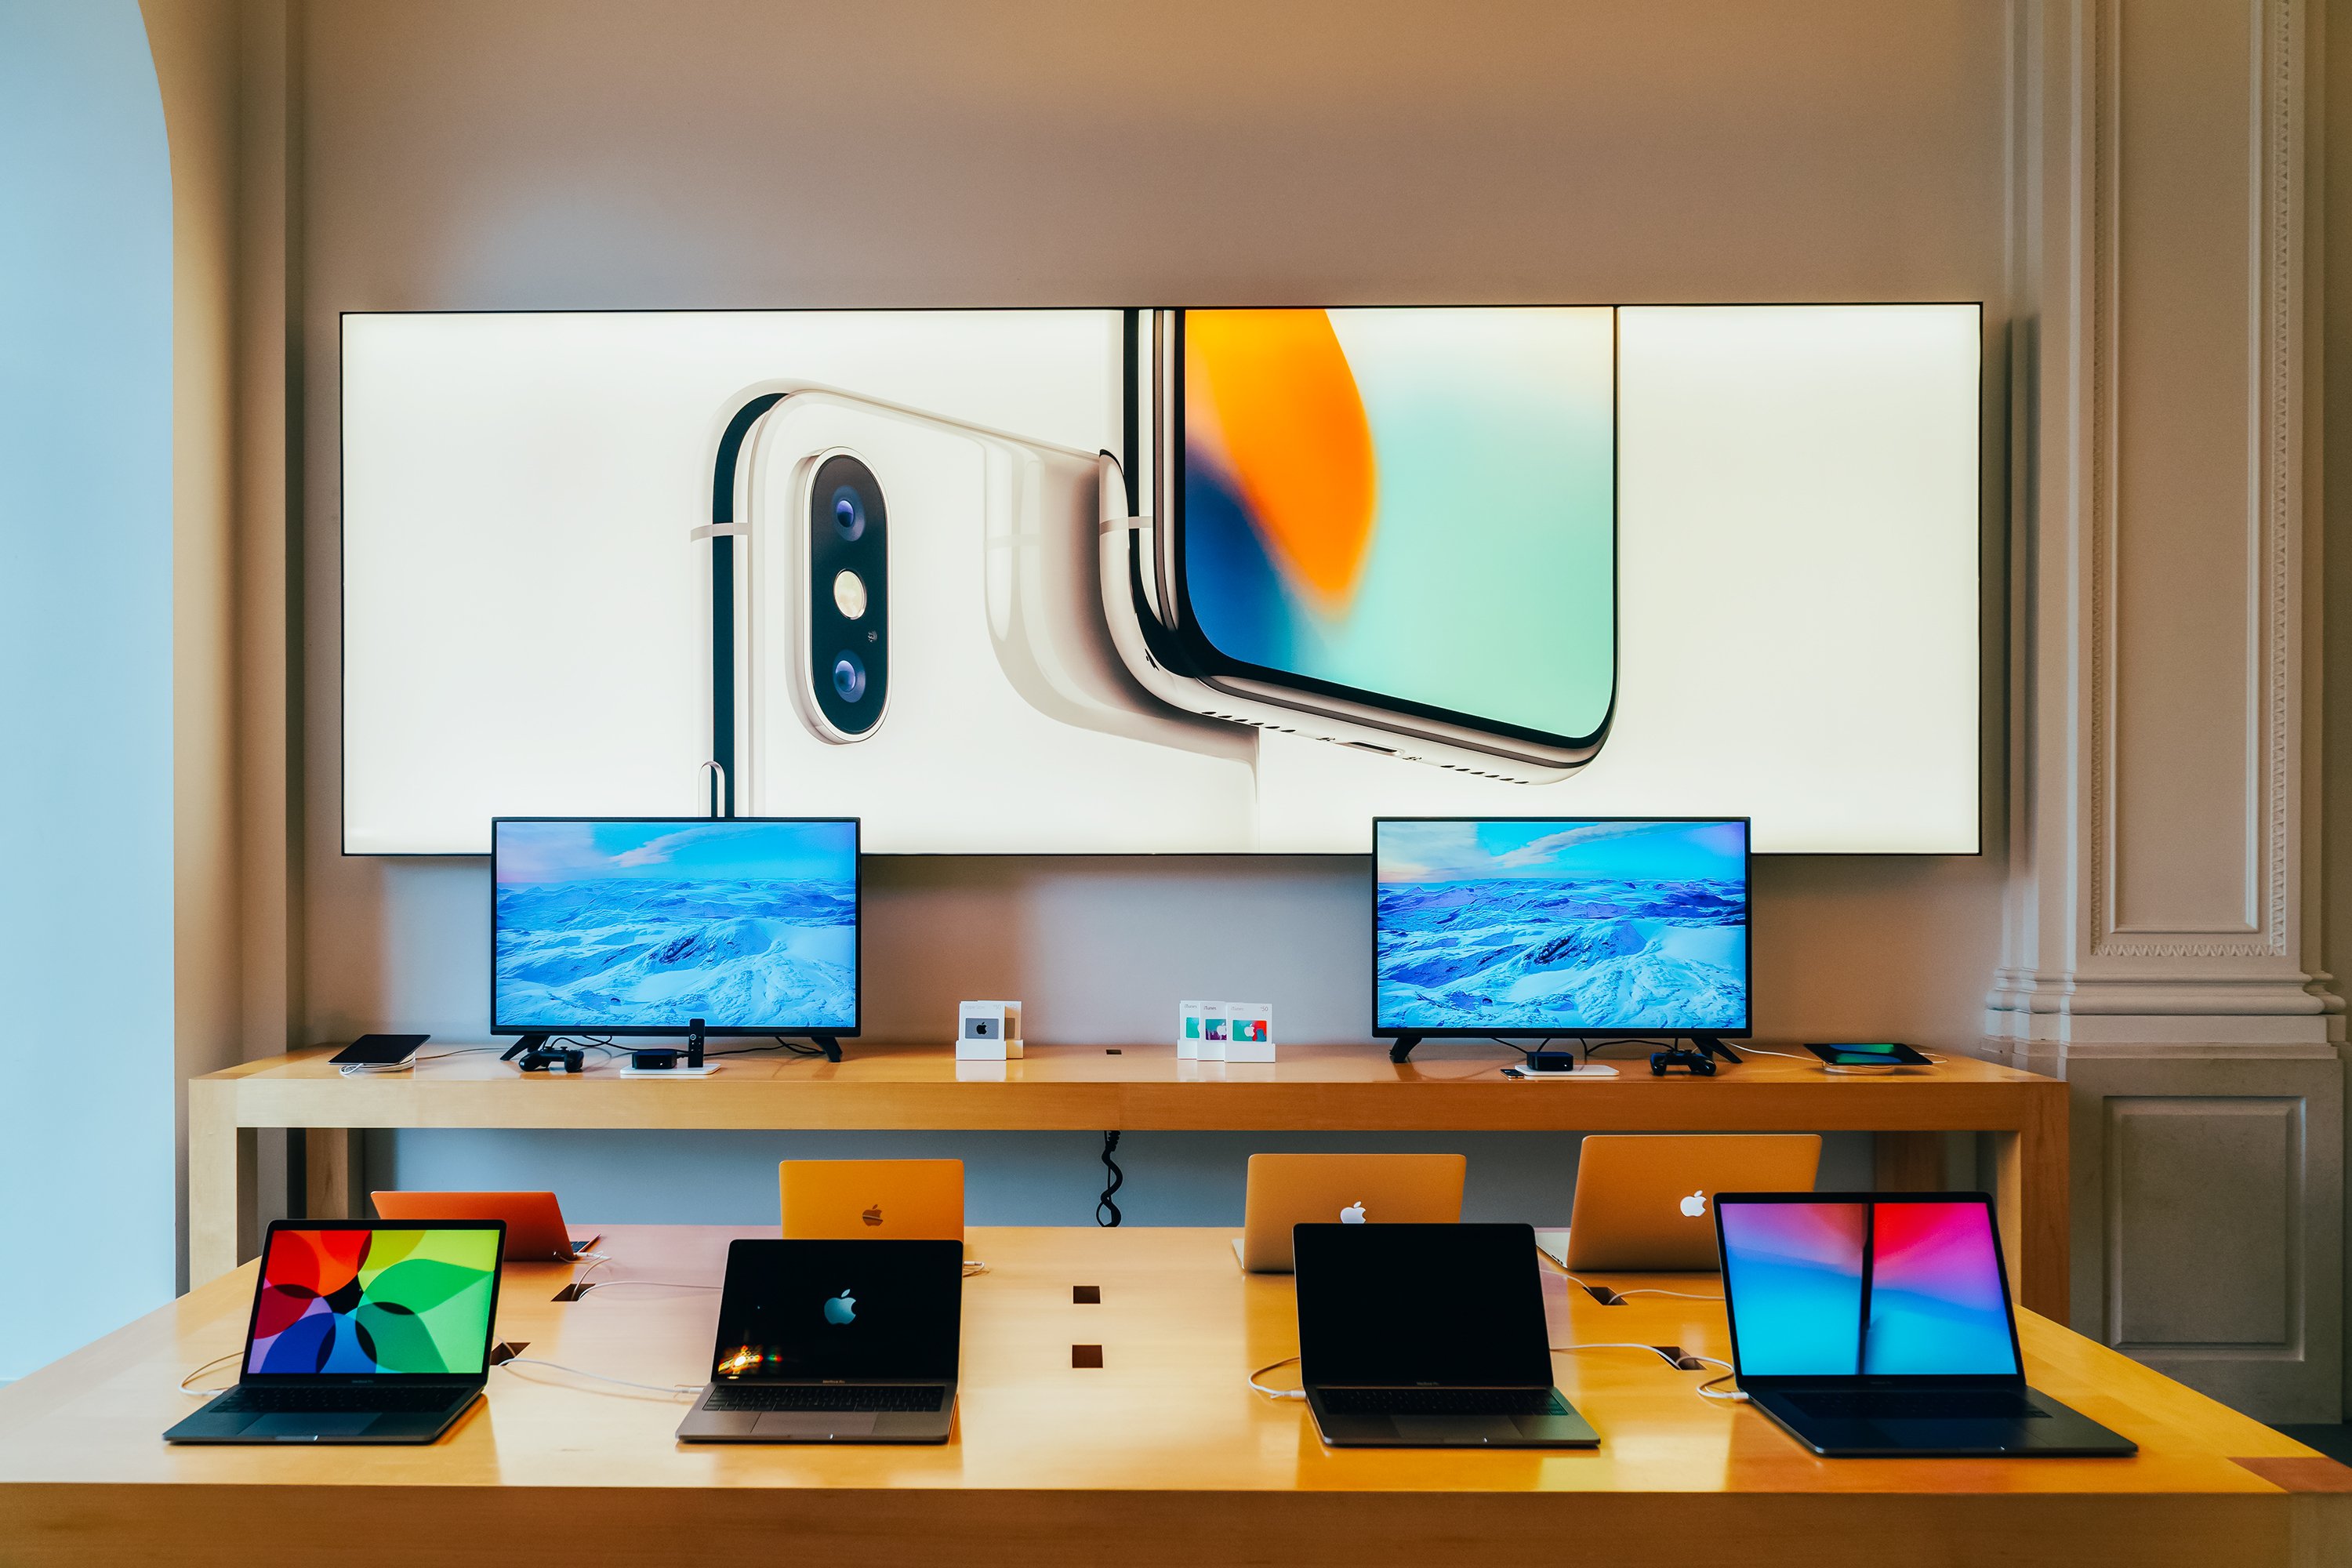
(1561, 925)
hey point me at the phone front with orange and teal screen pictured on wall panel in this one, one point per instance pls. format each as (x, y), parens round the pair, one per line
(1387, 528)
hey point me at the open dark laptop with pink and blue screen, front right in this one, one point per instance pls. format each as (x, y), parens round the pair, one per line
(1878, 1325)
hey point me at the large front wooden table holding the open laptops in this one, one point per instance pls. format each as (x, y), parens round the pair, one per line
(1161, 1456)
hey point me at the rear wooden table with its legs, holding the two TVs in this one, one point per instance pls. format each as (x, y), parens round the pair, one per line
(1455, 1090)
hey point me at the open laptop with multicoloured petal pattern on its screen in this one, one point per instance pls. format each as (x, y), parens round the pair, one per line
(361, 1334)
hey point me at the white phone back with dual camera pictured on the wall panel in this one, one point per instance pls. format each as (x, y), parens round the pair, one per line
(907, 619)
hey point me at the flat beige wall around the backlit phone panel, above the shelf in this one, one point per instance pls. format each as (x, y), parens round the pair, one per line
(584, 156)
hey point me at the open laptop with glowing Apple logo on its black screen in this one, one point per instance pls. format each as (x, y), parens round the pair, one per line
(834, 1343)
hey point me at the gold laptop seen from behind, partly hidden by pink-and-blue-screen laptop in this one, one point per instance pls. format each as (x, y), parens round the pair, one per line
(1648, 1202)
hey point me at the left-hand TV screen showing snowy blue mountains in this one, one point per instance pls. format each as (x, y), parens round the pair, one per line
(650, 925)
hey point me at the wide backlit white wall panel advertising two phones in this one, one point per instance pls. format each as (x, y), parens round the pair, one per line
(916, 619)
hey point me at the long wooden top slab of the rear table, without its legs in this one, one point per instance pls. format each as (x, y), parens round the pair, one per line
(1448, 1087)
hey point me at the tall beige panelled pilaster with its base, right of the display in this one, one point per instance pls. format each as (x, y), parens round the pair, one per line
(2158, 417)
